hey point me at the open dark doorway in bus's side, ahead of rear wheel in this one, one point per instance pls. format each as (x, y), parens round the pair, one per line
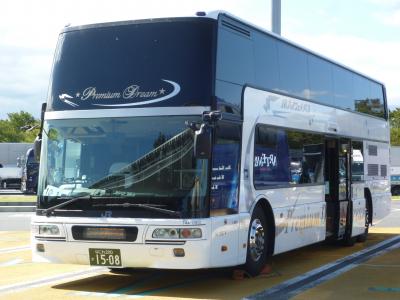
(337, 186)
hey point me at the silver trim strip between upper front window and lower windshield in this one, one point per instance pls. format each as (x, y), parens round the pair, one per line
(125, 112)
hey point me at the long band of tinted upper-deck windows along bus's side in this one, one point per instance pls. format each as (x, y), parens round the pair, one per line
(263, 61)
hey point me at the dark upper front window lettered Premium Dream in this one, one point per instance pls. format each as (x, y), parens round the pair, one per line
(140, 64)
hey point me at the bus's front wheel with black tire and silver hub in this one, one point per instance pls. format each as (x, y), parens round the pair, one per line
(257, 243)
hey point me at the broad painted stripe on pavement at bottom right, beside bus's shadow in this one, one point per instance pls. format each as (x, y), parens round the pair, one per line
(299, 284)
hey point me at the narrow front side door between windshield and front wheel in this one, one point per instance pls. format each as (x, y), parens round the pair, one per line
(224, 194)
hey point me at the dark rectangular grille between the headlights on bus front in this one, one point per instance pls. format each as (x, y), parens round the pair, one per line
(104, 233)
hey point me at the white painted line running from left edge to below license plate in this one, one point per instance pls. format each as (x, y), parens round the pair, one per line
(49, 280)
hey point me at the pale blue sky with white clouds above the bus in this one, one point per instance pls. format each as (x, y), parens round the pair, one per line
(361, 34)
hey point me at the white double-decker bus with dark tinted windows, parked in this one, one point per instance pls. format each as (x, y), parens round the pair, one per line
(203, 142)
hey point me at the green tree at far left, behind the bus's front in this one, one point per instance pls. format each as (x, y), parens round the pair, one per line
(11, 131)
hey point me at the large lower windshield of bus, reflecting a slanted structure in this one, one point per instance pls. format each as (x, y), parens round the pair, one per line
(122, 161)
